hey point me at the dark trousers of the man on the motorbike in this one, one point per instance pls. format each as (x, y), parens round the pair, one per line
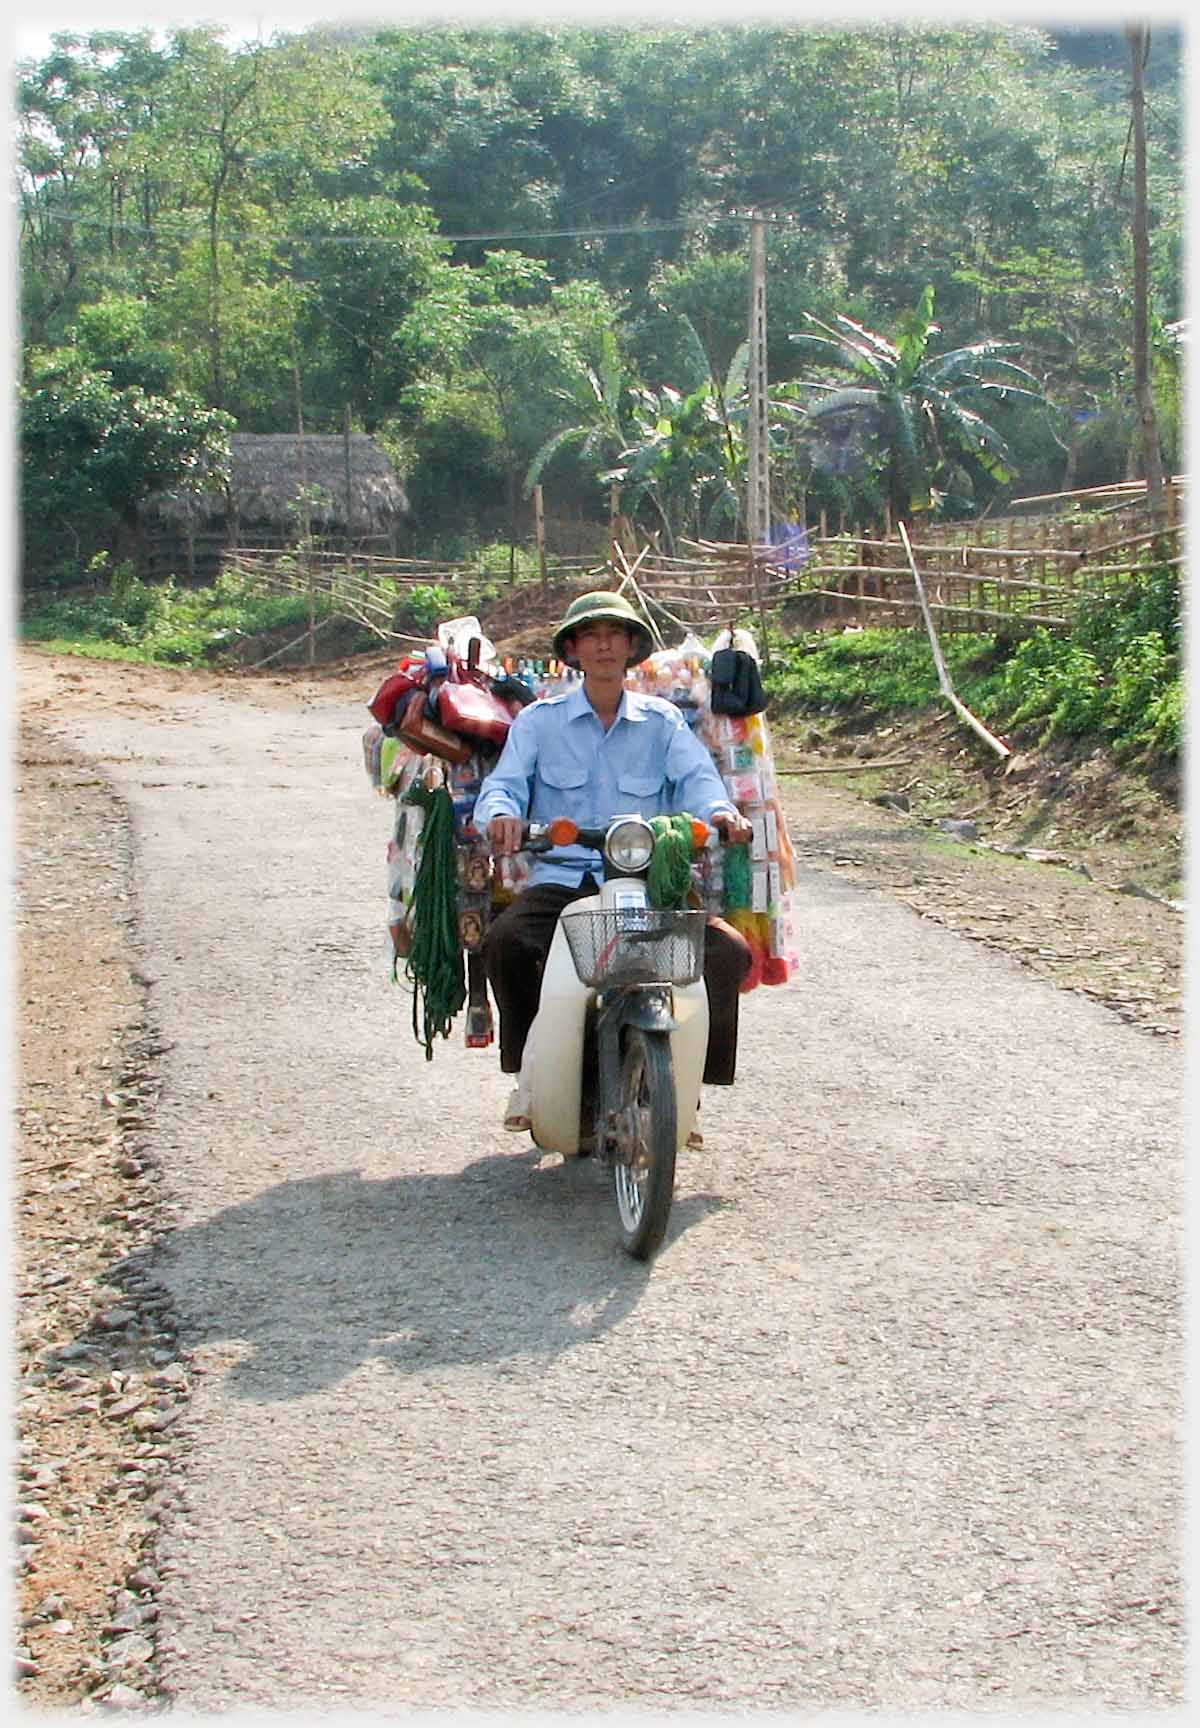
(516, 955)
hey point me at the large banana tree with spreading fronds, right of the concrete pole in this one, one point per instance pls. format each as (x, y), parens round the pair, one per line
(912, 417)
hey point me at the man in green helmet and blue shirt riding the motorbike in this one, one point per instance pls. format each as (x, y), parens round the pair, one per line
(597, 753)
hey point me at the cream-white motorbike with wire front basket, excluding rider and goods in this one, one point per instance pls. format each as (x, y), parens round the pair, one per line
(616, 1051)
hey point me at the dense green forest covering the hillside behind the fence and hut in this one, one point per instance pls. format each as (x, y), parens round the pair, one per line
(520, 257)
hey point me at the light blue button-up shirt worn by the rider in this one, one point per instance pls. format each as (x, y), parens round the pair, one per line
(559, 761)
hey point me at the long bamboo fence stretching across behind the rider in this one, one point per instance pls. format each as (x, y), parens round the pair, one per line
(1004, 576)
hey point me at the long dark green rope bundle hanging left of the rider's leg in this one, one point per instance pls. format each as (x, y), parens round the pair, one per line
(435, 960)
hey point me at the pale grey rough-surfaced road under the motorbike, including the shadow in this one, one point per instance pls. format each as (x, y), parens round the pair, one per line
(891, 1423)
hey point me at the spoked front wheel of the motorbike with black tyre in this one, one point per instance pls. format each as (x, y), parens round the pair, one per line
(644, 1169)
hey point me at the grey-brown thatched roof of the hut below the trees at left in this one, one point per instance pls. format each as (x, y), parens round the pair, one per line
(271, 469)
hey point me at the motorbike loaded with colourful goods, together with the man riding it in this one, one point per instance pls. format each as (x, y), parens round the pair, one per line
(568, 863)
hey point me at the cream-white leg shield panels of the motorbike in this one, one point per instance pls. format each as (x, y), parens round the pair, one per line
(554, 1051)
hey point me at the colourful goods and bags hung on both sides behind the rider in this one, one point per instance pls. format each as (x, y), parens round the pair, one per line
(442, 720)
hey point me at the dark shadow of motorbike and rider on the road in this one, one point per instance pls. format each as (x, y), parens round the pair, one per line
(509, 1259)
